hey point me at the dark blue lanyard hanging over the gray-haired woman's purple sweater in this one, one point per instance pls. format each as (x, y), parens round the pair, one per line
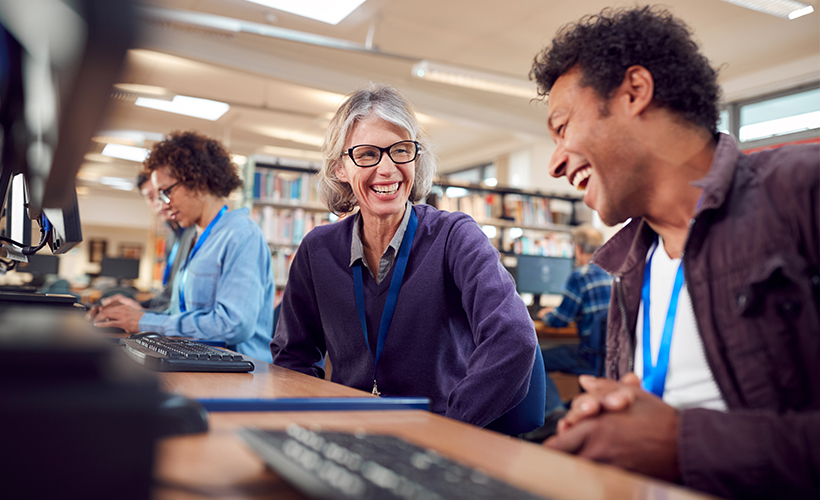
(392, 294)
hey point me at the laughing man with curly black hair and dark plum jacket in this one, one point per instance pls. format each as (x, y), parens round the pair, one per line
(713, 338)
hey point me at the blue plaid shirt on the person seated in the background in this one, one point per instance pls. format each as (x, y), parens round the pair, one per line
(587, 292)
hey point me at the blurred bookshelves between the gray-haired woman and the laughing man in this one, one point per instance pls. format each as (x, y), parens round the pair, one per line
(517, 221)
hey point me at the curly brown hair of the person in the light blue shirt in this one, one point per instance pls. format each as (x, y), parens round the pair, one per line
(198, 162)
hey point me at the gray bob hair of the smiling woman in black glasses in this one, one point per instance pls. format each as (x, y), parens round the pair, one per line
(386, 102)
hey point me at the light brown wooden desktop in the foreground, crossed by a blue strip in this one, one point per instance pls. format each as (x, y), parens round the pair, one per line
(218, 465)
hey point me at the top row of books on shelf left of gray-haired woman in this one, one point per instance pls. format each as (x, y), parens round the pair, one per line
(283, 186)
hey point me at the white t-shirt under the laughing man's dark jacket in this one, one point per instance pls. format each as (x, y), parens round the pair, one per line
(689, 380)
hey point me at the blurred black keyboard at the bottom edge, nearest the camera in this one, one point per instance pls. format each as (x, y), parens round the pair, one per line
(331, 465)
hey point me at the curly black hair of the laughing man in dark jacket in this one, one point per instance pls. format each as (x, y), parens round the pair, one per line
(605, 45)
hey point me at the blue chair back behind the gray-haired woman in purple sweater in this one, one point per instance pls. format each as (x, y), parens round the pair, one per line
(529, 413)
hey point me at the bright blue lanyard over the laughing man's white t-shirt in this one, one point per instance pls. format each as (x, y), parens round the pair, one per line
(654, 377)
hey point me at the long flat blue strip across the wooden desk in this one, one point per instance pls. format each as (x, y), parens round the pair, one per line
(316, 404)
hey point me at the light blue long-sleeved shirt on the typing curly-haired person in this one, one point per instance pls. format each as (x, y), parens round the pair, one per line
(228, 290)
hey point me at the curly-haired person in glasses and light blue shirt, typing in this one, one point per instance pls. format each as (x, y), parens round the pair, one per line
(225, 289)
